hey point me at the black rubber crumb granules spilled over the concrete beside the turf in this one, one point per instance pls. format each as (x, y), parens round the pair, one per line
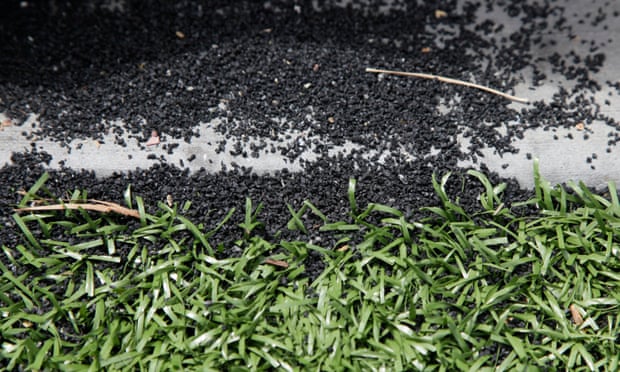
(272, 68)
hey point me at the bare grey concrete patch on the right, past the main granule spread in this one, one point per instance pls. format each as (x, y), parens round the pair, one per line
(563, 159)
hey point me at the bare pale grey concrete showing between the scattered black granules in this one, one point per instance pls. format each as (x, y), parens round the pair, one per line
(560, 159)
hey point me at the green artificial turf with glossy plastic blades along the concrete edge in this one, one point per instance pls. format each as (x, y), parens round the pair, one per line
(513, 285)
